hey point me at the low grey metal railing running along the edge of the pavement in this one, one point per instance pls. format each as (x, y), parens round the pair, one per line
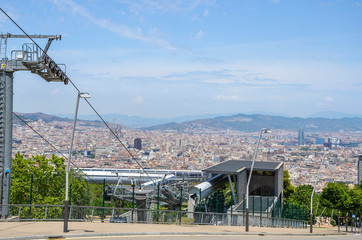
(22, 212)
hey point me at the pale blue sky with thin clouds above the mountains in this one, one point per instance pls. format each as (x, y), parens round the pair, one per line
(173, 58)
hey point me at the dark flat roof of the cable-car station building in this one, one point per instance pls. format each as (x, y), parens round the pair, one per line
(236, 166)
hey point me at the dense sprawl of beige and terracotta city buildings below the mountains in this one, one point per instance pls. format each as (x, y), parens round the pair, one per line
(96, 147)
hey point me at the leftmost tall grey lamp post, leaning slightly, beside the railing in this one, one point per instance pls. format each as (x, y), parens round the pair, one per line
(66, 202)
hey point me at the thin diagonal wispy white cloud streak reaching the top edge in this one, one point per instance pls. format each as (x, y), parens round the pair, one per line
(120, 29)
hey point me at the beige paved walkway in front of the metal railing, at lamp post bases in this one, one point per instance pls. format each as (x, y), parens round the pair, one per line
(23, 230)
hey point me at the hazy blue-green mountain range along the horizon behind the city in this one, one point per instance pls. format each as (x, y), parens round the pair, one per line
(240, 122)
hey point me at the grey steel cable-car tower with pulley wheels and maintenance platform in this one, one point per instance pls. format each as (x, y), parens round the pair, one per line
(29, 58)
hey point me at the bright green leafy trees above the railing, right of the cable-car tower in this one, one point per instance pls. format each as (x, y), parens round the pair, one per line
(48, 181)
